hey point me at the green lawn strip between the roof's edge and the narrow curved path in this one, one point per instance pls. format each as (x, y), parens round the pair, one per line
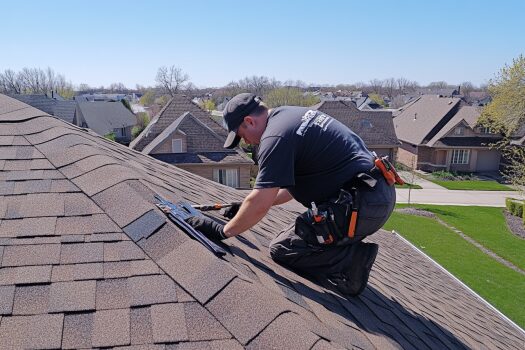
(496, 283)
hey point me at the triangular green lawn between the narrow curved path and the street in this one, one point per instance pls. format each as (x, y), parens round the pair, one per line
(486, 225)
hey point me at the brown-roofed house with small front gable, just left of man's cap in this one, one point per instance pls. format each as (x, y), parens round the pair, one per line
(184, 134)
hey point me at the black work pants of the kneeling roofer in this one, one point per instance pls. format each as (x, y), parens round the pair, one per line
(289, 249)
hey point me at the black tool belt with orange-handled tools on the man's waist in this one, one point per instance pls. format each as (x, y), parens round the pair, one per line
(334, 222)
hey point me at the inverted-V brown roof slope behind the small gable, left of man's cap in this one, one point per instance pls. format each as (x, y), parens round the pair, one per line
(178, 105)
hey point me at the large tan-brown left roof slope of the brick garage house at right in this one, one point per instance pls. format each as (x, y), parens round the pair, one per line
(422, 118)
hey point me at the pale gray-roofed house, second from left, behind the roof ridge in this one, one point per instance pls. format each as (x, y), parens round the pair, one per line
(105, 118)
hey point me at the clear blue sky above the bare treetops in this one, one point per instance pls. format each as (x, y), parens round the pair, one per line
(215, 42)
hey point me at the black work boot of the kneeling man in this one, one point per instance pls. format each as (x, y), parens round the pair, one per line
(354, 280)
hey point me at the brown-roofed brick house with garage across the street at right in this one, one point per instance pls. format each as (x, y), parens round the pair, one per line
(440, 133)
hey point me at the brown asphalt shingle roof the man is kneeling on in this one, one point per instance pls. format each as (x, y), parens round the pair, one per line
(89, 262)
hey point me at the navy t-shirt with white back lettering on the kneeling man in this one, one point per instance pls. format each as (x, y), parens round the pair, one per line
(309, 153)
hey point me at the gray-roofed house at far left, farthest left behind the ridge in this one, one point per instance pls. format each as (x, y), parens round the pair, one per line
(52, 104)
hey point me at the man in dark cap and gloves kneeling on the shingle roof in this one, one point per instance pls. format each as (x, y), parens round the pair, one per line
(311, 157)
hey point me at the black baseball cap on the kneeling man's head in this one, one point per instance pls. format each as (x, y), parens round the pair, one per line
(236, 109)
